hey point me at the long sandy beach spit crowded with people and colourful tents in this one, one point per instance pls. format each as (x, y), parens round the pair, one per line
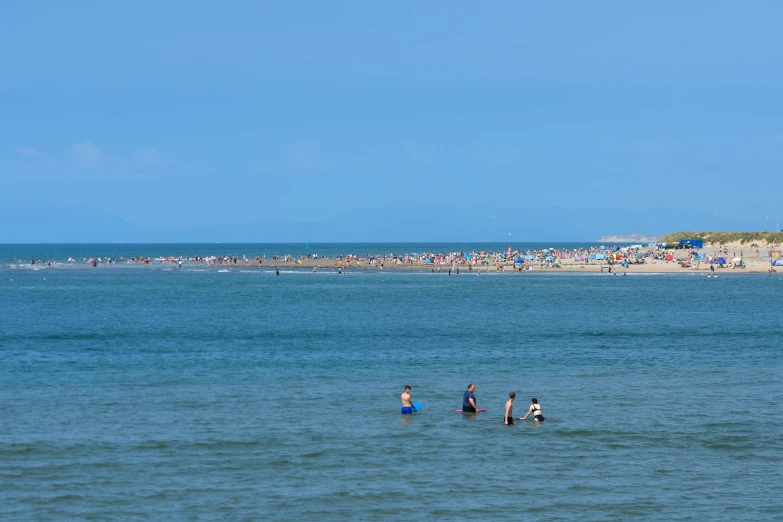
(736, 258)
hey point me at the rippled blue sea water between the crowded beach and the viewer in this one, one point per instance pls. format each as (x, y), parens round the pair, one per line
(136, 394)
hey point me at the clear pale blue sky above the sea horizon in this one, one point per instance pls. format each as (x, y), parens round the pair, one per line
(412, 121)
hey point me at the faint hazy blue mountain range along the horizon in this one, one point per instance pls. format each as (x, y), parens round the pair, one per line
(44, 222)
